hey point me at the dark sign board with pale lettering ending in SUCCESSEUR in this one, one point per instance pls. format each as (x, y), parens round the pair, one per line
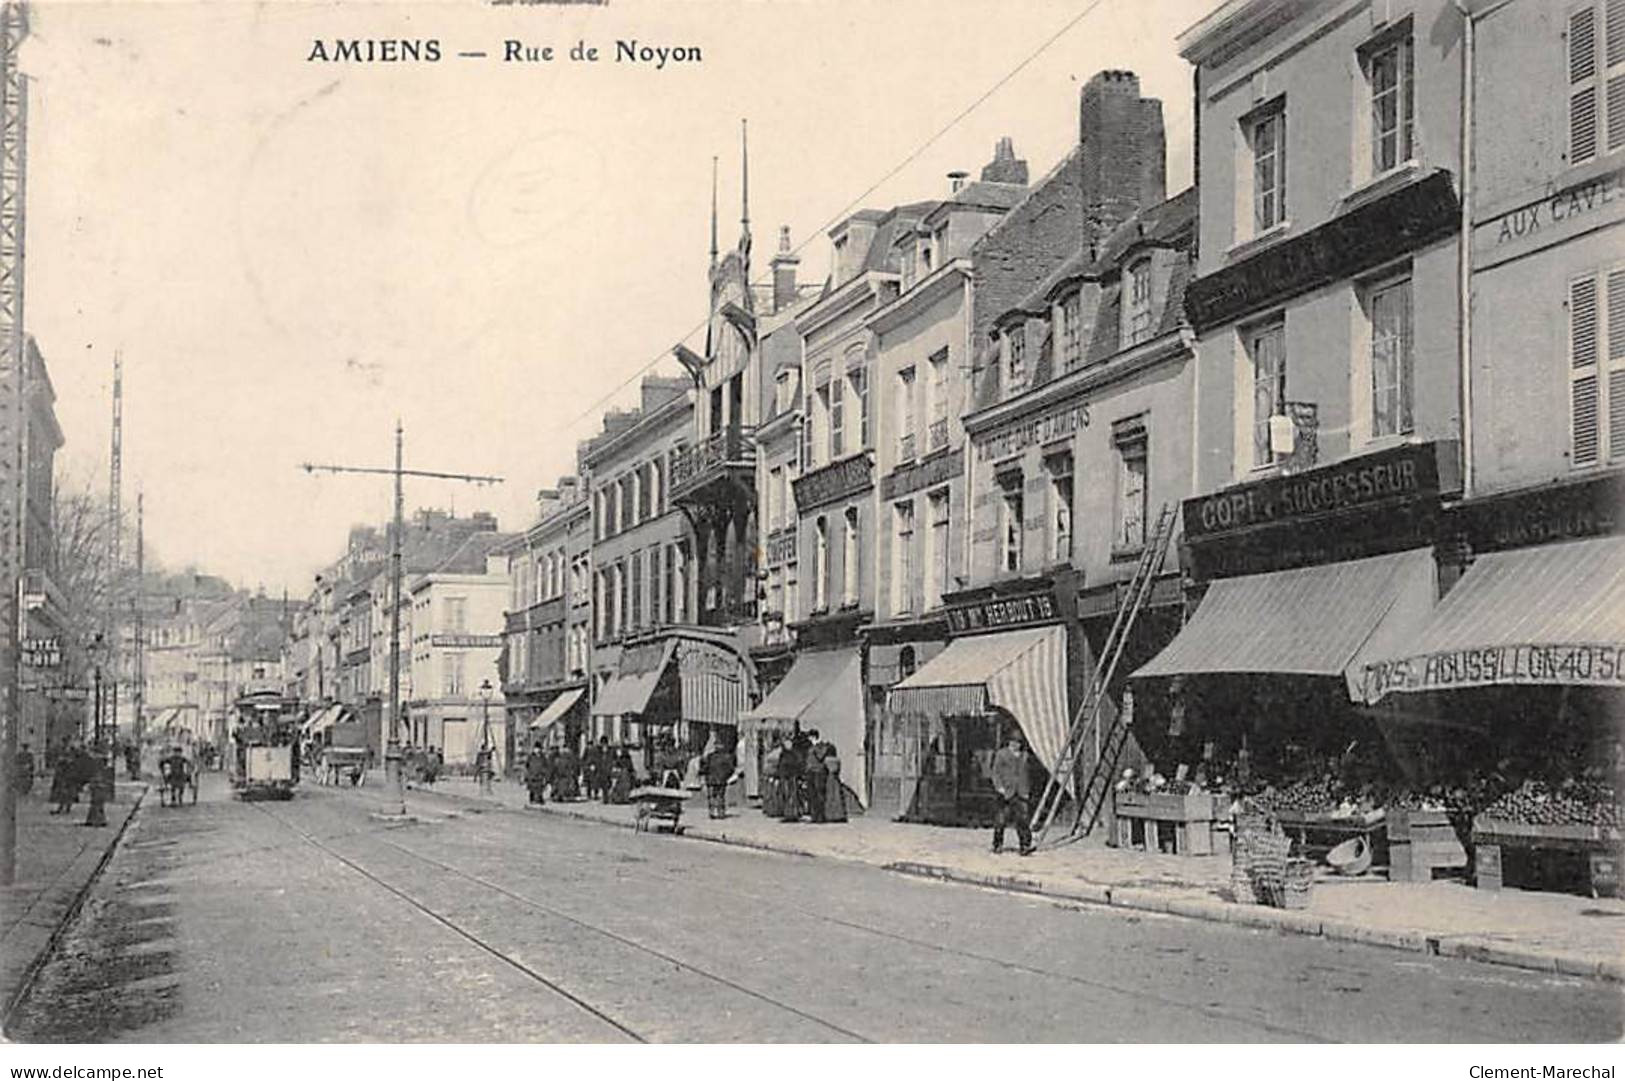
(1400, 475)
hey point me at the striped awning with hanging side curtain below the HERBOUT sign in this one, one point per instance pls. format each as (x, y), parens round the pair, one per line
(1021, 672)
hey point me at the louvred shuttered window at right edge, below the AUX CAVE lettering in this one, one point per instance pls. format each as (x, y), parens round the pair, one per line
(1597, 396)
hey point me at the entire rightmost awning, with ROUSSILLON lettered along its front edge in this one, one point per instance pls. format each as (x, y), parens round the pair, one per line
(1549, 615)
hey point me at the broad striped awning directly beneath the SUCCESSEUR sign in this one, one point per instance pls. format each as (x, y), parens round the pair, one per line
(1312, 622)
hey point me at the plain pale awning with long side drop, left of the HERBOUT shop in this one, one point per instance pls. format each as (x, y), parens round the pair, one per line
(825, 692)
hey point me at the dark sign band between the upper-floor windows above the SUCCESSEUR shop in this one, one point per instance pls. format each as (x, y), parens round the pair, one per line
(1346, 246)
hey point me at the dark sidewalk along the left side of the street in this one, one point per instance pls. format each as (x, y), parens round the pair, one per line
(58, 859)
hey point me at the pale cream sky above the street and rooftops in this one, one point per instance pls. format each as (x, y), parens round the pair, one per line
(292, 254)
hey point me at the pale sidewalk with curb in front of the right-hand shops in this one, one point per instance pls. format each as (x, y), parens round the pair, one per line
(1528, 931)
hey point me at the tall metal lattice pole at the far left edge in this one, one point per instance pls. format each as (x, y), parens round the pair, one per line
(14, 414)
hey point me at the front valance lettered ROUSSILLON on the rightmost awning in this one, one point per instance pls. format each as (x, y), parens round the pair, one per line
(1551, 666)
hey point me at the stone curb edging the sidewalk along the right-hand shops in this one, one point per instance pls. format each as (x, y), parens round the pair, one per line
(1140, 900)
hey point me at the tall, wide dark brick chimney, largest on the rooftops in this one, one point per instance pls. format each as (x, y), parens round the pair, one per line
(1124, 152)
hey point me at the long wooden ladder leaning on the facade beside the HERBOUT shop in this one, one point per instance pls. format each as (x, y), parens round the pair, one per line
(1086, 723)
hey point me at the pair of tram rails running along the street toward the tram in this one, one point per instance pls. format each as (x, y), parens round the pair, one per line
(531, 973)
